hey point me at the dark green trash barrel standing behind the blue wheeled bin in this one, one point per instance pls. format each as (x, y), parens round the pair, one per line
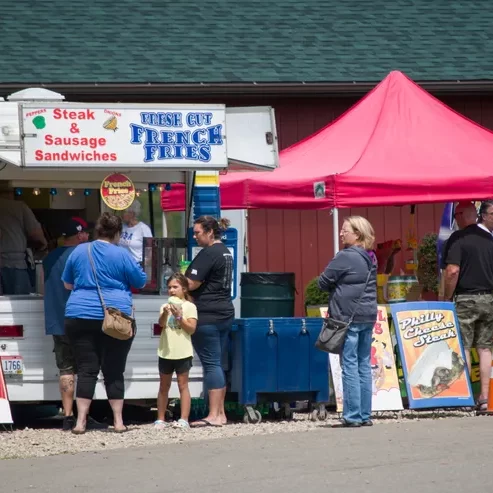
(267, 294)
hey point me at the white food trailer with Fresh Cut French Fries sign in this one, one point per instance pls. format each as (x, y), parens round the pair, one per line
(46, 143)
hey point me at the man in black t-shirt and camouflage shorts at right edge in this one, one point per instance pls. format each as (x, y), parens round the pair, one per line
(469, 278)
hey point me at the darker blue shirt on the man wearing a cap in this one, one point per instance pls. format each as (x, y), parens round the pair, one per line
(55, 294)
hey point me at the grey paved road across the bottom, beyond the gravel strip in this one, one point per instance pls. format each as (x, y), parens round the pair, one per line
(446, 455)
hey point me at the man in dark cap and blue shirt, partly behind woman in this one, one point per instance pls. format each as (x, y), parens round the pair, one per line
(75, 232)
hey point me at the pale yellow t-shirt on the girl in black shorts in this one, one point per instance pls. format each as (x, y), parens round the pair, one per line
(174, 342)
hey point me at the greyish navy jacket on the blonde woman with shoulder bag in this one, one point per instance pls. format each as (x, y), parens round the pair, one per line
(344, 279)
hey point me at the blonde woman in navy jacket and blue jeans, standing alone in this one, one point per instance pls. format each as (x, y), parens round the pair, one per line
(349, 295)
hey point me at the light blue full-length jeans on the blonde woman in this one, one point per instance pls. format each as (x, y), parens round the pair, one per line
(356, 373)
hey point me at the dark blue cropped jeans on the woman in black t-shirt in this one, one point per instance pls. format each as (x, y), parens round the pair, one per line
(211, 344)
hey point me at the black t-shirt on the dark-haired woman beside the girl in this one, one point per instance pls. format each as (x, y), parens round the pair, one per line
(214, 267)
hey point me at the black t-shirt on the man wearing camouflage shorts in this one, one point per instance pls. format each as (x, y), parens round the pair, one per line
(472, 250)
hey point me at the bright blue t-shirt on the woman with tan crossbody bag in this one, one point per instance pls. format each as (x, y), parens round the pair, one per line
(117, 271)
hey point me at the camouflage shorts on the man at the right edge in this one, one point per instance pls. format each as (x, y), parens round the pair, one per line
(475, 314)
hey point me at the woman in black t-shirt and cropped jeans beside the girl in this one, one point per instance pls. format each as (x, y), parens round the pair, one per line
(209, 278)
